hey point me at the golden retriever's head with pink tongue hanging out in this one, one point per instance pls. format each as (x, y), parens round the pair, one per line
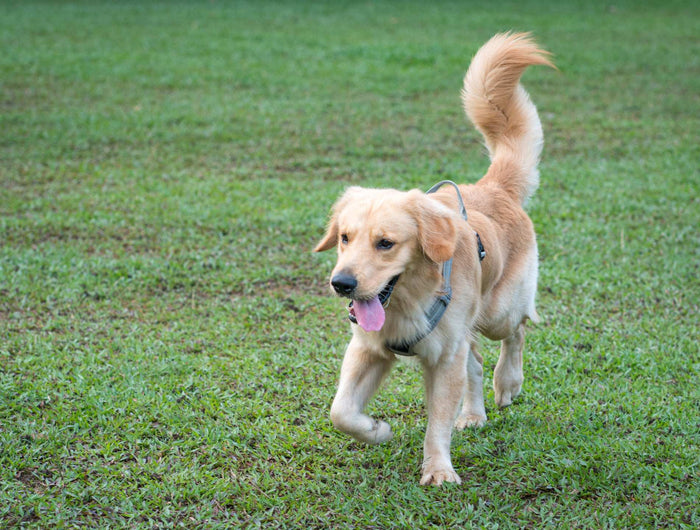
(380, 234)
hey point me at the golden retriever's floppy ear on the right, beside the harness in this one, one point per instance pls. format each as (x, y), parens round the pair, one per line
(437, 231)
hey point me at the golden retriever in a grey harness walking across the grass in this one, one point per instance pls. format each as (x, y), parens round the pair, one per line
(426, 272)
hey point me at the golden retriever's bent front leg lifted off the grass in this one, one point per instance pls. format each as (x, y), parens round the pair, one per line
(360, 376)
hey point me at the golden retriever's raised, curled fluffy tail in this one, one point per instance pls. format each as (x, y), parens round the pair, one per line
(502, 111)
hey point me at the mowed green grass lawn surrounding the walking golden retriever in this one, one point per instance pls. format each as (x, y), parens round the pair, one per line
(168, 347)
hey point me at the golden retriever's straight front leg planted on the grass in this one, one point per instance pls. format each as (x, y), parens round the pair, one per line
(444, 386)
